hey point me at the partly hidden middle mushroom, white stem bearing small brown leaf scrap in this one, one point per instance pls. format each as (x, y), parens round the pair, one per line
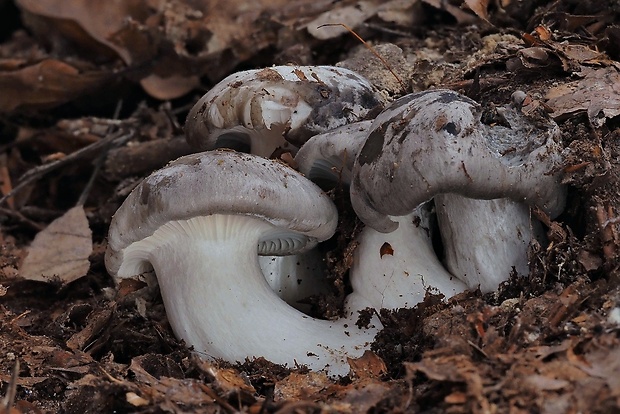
(390, 270)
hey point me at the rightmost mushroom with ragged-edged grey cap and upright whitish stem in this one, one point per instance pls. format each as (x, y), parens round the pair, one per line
(434, 143)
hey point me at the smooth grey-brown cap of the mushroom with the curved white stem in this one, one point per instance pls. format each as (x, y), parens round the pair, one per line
(225, 182)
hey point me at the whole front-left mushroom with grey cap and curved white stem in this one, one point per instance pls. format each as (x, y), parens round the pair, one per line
(200, 224)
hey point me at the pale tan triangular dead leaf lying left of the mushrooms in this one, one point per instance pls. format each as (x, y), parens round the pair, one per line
(61, 251)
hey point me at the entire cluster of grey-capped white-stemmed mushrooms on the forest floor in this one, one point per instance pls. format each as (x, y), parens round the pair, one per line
(232, 236)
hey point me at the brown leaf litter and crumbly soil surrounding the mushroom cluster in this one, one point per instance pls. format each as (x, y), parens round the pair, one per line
(545, 343)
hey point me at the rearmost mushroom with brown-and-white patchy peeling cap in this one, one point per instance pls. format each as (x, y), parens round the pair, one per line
(261, 110)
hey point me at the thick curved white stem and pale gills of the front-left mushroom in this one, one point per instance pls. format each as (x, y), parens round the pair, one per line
(223, 306)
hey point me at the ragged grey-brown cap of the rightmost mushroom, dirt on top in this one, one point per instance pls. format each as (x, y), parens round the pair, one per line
(434, 142)
